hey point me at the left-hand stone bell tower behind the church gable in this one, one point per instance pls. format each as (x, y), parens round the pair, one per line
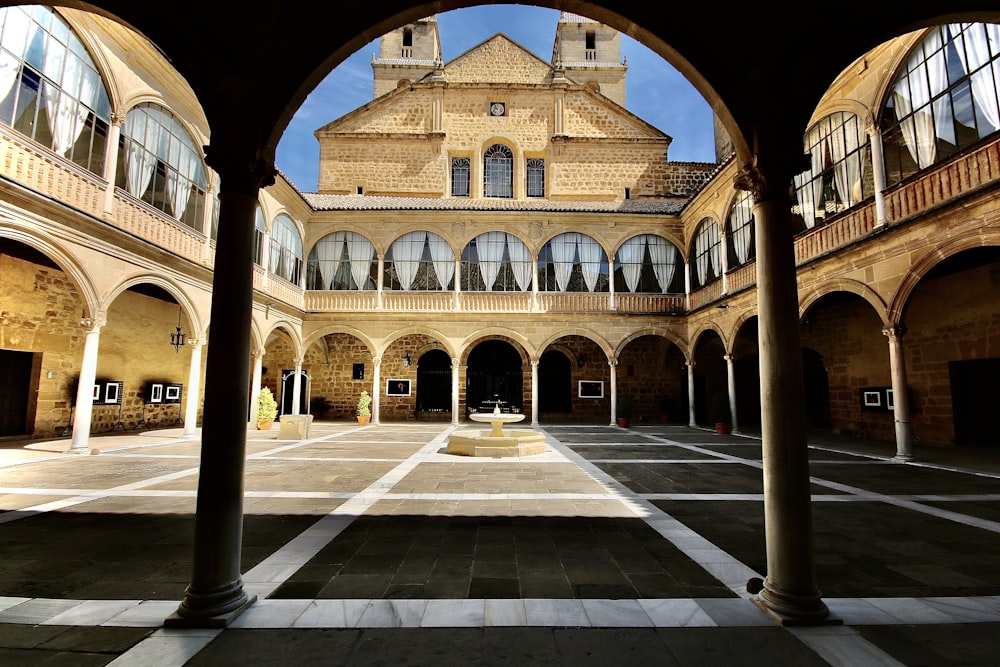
(405, 55)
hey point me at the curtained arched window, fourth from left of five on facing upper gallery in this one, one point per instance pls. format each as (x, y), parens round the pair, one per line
(572, 262)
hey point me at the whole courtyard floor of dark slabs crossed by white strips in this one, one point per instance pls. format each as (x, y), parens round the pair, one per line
(368, 546)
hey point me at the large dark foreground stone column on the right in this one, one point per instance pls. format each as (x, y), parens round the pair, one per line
(789, 591)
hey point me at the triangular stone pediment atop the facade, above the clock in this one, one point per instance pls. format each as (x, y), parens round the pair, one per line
(498, 60)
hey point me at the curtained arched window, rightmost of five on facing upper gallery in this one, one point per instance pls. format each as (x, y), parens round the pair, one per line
(648, 263)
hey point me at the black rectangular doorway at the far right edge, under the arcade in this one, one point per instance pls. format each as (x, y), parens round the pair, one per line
(975, 394)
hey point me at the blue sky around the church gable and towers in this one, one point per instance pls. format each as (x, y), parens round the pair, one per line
(655, 92)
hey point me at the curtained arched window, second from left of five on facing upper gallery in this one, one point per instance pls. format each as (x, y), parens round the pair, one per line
(419, 261)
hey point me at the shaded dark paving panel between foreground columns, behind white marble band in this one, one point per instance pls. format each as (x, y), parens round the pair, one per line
(500, 557)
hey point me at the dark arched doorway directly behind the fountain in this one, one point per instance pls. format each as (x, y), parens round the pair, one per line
(494, 378)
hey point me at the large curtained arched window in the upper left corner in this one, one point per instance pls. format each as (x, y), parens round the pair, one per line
(50, 89)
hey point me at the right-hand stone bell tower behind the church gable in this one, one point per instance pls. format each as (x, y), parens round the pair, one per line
(590, 53)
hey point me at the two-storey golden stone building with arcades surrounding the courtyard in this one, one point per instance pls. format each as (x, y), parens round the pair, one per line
(499, 230)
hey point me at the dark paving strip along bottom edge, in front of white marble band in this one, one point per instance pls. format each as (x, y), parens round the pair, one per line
(461, 647)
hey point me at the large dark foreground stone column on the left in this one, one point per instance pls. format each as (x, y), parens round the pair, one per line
(215, 596)
